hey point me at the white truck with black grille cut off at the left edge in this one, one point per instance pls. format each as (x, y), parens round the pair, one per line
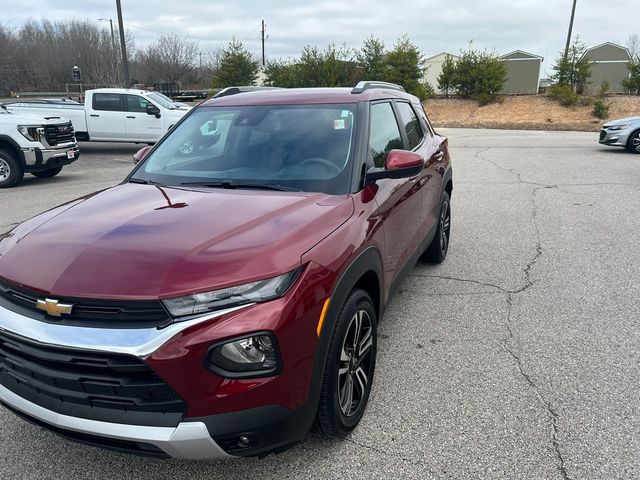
(40, 146)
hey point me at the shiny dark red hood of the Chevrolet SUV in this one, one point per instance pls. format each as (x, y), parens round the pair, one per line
(137, 241)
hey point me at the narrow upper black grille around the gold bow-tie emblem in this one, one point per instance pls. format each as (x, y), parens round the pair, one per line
(87, 312)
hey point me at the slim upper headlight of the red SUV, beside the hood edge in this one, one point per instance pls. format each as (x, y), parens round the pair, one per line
(254, 292)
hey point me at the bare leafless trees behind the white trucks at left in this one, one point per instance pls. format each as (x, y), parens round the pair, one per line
(40, 55)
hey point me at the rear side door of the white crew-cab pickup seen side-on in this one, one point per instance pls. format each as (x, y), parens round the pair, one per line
(105, 118)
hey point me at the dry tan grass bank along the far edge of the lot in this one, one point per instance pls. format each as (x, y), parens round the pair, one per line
(527, 112)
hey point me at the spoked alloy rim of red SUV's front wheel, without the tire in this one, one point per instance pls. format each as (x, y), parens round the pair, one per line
(354, 371)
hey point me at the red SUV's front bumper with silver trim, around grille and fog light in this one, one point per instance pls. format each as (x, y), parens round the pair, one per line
(224, 417)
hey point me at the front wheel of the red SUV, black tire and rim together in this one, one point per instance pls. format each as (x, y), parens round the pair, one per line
(339, 412)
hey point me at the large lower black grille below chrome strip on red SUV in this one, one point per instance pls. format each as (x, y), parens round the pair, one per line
(102, 386)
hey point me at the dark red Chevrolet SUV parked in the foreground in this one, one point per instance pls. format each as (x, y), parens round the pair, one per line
(225, 297)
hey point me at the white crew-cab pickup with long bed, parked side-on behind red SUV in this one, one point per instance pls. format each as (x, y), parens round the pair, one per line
(112, 114)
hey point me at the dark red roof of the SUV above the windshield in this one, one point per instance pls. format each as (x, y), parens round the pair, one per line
(303, 96)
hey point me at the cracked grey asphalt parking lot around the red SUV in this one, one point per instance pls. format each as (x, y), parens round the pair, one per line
(517, 358)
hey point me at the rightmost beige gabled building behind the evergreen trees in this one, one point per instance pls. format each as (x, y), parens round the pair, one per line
(609, 62)
